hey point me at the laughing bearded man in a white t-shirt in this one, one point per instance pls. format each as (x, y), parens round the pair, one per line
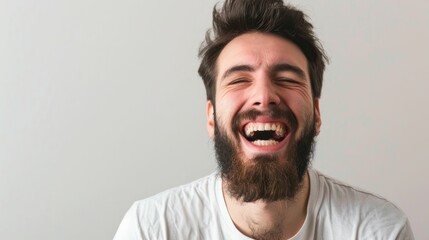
(263, 71)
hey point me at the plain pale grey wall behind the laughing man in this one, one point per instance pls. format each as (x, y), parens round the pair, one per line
(101, 105)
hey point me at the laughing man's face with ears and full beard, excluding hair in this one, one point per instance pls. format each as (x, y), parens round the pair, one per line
(265, 117)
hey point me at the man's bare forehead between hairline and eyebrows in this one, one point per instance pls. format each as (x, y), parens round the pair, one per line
(260, 50)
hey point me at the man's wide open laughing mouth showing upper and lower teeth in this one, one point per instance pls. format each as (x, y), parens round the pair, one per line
(265, 134)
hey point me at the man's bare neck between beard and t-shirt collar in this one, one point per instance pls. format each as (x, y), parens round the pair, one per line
(269, 220)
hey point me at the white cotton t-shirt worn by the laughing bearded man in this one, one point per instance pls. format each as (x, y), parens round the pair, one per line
(198, 211)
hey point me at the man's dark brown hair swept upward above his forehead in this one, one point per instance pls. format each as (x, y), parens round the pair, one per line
(237, 17)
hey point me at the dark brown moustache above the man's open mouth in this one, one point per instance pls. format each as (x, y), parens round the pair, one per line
(275, 112)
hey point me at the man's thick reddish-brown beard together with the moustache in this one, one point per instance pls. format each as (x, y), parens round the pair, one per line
(265, 177)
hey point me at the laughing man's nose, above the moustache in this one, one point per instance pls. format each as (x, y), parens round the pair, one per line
(264, 94)
